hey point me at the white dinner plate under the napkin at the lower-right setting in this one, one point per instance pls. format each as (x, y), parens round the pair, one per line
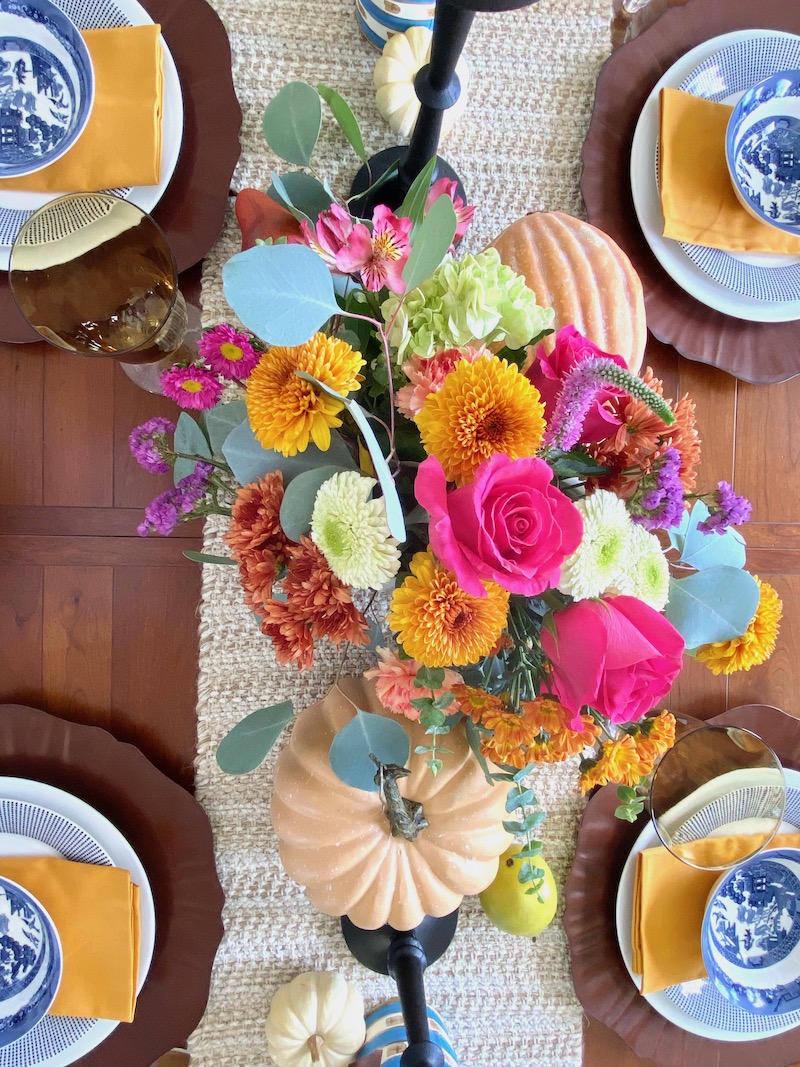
(697, 1007)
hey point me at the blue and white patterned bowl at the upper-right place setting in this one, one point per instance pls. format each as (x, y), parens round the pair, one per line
(763, 151)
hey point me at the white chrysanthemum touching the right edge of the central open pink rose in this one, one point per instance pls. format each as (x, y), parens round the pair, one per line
(601, 559)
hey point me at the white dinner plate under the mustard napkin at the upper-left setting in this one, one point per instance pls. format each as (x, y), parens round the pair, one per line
(15, 208)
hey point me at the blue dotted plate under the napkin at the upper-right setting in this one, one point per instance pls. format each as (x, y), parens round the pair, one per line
(724, 78)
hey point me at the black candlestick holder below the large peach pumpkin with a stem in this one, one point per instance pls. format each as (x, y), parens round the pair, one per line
(405, 955)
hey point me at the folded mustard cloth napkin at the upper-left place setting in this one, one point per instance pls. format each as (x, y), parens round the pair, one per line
(122, 144)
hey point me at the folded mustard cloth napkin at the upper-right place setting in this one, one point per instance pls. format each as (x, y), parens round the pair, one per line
(698, 200)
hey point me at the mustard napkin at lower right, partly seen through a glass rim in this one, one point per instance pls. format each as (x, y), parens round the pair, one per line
(669, 903)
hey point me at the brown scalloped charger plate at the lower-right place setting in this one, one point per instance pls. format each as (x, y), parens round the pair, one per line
(602, 981)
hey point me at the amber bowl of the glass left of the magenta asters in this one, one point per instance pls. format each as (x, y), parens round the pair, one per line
(95, 276)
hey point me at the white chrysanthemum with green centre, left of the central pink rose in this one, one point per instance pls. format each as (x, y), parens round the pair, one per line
(350, 531)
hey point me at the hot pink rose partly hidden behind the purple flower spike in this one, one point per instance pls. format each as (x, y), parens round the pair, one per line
(548, 374)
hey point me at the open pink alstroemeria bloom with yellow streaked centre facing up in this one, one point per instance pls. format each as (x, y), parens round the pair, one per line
(378, 258)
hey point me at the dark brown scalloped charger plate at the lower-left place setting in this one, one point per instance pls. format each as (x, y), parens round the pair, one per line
(170, 833)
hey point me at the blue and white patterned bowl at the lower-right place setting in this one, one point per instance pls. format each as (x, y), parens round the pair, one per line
(751, 934)
